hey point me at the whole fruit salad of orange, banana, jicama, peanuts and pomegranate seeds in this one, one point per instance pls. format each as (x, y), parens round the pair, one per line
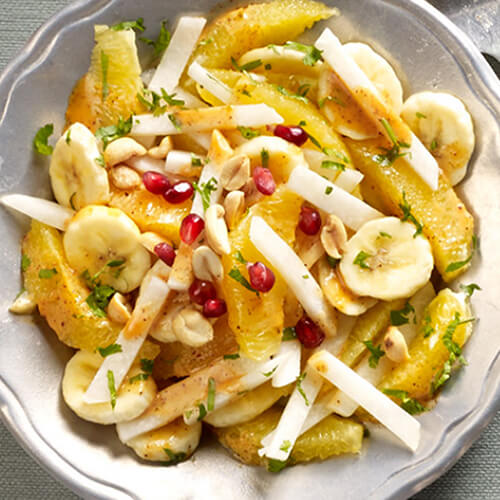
(251, 236)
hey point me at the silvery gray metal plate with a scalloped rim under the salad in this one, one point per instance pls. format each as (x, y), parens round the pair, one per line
(428, 53)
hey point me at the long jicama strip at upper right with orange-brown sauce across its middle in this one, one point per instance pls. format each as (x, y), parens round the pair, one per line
(422, 162)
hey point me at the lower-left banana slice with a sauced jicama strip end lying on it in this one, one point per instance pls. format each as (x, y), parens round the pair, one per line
(131, 398)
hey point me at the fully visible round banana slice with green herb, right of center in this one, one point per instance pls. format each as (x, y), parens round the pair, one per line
(385, 259)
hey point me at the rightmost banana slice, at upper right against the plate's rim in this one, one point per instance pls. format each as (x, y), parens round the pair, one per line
(442, 123)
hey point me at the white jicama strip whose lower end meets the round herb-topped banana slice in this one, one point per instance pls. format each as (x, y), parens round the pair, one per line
(351, 210)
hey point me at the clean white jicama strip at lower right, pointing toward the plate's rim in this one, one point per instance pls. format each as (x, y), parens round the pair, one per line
(388, 413)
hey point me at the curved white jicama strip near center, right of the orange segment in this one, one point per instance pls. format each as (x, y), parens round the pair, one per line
(293, 271)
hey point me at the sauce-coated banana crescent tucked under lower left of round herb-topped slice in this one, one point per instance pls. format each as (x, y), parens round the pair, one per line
(338, 294)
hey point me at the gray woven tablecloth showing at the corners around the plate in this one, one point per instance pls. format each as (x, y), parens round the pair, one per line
(475, 476)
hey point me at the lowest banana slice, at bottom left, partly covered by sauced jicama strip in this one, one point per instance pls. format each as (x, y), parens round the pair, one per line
(171, 443)
